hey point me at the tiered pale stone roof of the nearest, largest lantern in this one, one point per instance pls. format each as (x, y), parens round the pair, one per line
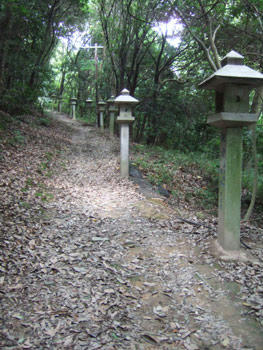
(233, 71)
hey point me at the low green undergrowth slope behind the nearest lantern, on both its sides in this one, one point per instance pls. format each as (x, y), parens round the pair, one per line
(192, 177)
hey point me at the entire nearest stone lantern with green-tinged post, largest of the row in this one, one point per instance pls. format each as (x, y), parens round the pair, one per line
(232, 83)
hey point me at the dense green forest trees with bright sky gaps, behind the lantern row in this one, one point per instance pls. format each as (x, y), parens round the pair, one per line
(38, 57)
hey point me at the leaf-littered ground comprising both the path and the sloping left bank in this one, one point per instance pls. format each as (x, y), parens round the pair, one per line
(92, 261)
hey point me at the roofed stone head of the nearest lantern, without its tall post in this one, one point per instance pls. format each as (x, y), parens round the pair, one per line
(232, 83)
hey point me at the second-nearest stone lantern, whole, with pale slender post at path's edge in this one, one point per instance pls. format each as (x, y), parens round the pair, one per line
(125, 118)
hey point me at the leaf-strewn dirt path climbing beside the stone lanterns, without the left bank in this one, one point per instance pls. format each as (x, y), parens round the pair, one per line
(117, 270)
